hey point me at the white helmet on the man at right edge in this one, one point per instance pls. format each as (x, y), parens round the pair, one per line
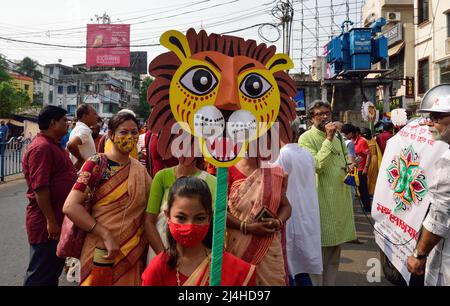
(437, 100)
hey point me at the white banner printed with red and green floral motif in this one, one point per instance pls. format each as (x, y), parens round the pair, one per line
(401, 196)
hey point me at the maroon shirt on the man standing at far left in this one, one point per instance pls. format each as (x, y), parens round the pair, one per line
(46, 164)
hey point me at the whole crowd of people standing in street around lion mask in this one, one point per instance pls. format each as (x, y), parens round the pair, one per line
(148, 221)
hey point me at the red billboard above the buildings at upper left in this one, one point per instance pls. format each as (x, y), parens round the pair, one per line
(108, 45)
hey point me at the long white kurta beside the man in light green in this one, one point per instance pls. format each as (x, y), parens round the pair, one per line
(303, 244)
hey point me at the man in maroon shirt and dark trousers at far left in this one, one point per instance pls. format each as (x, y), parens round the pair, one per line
(49, 174)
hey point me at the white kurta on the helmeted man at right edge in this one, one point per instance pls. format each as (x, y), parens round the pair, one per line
(437, 271)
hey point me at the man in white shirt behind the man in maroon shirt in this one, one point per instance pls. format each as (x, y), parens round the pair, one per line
(81, 144)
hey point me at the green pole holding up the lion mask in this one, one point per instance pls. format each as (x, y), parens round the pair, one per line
(220, 211)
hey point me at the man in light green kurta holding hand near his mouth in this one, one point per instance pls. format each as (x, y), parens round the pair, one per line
(337, 224)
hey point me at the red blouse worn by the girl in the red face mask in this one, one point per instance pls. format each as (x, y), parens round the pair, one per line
(234, 271)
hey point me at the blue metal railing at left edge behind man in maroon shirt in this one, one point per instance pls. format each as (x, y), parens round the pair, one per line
(11, 154)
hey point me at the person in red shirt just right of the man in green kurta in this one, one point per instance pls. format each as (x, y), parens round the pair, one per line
(363, 161)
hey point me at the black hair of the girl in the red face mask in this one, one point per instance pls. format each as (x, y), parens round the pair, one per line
(189, 187)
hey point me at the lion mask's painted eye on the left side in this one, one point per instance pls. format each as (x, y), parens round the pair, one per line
(199, 80)
